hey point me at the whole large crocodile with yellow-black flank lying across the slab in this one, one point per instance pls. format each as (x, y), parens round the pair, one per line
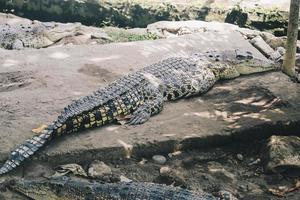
(141, 94)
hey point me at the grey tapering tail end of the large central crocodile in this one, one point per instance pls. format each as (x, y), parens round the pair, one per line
(25, 150)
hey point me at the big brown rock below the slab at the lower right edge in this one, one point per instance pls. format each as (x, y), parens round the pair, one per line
(282, 153)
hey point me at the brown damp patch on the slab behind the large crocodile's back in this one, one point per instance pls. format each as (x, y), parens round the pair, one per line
(99, 72)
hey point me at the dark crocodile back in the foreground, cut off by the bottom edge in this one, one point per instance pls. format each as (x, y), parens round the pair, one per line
(67, 188)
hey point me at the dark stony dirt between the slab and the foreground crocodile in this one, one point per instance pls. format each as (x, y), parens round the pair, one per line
(238, 169)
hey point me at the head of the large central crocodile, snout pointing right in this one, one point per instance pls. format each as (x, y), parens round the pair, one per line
(231, 64)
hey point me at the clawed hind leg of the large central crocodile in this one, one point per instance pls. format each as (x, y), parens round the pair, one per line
(153, 104)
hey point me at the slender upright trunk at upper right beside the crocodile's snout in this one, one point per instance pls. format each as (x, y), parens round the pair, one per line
(291, 44)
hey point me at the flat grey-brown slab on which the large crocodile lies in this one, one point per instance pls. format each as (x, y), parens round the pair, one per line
(35, 85)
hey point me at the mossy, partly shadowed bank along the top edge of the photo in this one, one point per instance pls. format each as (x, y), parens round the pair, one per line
(137, 13)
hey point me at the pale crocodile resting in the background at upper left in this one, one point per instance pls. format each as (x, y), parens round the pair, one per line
(44, 34)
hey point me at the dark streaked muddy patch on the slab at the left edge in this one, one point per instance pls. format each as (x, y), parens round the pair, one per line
(10, 81)
